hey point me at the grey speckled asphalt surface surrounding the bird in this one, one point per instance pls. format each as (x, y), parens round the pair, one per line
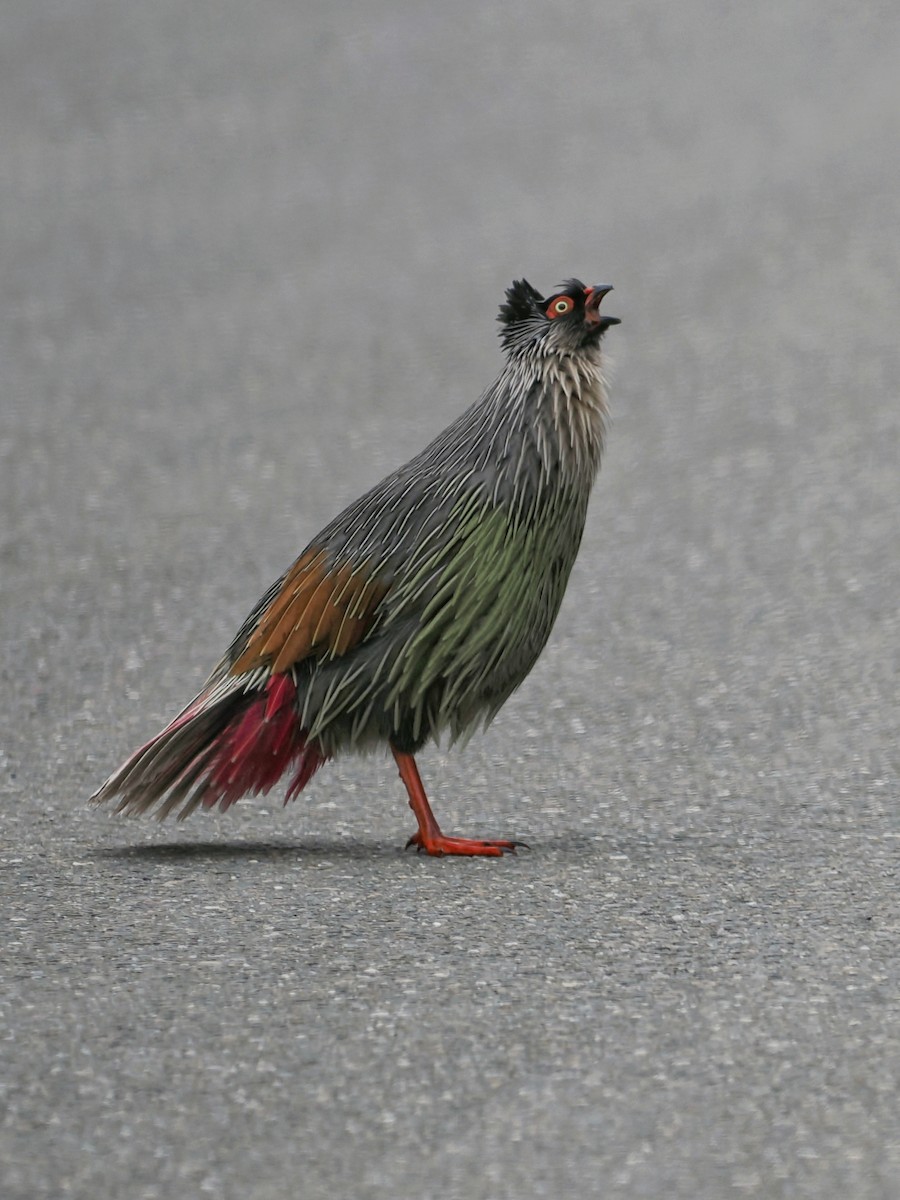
(251, 259)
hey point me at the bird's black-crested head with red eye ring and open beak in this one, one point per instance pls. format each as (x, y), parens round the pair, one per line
(566, 322)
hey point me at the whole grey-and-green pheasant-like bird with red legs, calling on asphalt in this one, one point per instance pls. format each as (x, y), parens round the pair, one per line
(421, 609)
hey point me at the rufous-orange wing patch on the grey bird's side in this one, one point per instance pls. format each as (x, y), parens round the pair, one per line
(320, 610)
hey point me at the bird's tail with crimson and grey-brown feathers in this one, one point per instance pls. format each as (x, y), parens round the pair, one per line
(227, 743)
